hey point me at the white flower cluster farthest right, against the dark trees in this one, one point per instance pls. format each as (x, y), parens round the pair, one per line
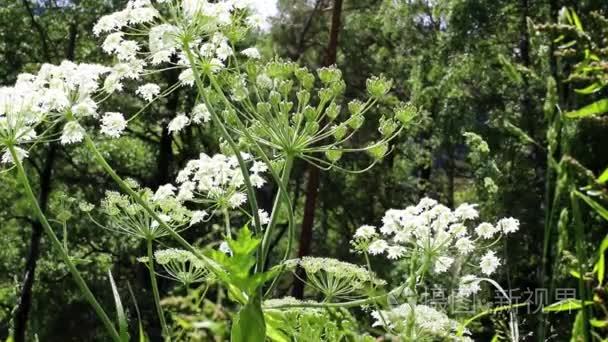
(434, 231)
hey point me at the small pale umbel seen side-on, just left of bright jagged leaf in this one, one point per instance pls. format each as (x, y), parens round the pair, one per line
(181, 266)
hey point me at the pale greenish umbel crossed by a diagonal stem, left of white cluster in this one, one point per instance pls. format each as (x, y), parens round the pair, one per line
(125, 216)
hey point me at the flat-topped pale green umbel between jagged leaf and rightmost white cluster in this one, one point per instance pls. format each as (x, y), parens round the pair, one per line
(336, 279)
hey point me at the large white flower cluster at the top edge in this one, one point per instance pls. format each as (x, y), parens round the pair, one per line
(202, 26)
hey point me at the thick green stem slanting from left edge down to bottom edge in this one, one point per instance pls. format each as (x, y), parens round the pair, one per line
(63, 254)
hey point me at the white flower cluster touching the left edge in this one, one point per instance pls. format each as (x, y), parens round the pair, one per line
(67, 91)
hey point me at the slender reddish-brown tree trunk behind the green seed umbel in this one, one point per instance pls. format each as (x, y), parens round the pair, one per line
(312, 186)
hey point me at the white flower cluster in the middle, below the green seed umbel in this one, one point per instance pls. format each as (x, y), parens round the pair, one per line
(217, 180)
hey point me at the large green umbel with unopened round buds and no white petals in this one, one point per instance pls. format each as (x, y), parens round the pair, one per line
(293, 112)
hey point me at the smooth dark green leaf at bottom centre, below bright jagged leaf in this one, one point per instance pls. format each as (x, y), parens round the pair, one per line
(248, 324)
